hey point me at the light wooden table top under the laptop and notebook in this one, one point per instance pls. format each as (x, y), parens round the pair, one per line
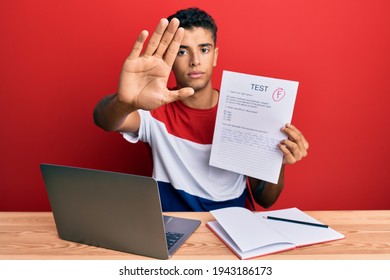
(33, 235)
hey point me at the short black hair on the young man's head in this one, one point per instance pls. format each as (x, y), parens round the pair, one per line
(195, 17)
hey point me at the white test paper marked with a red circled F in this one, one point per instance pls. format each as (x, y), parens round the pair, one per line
(251, 112)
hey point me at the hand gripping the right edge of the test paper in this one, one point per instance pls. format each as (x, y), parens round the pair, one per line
(295, 147)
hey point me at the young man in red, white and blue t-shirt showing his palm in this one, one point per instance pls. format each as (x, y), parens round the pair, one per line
(178, 124)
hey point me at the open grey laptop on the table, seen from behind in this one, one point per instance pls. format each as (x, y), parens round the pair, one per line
(113, 210)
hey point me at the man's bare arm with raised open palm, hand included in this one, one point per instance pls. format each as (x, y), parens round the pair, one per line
(143, 80)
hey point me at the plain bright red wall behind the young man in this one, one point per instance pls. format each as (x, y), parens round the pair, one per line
(58, 58)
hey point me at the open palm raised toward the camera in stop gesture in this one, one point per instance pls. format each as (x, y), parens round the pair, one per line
(144, 76)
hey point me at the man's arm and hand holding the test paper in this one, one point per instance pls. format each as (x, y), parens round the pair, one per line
(294, 149)
